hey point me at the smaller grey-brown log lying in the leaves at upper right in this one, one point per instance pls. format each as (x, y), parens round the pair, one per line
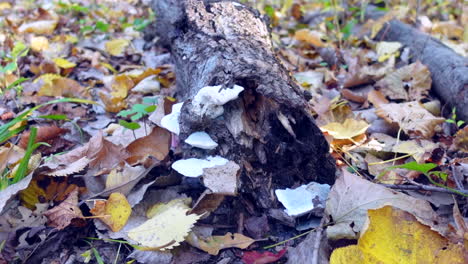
(449, 70)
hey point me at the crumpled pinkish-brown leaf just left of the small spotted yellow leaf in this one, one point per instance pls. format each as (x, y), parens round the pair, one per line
(62, 215)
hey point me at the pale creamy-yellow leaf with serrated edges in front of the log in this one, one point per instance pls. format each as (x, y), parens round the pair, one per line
(166, 229)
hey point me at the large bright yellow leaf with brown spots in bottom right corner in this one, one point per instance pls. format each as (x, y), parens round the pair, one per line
(395, 236)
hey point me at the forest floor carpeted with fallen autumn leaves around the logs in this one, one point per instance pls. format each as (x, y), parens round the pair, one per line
(90, 171)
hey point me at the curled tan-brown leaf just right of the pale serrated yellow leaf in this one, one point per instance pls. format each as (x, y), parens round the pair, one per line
(214, 244)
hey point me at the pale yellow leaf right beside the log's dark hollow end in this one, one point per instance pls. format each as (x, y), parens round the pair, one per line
(347, 130)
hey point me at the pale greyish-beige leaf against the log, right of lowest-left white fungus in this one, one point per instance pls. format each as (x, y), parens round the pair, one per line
(222, 179)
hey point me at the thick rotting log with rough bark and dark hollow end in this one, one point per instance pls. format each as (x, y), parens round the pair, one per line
(268, 130)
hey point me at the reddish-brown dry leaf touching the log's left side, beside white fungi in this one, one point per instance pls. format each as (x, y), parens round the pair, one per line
(156, 144)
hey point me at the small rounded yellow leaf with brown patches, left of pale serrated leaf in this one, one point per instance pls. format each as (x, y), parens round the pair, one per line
(114, 212)
